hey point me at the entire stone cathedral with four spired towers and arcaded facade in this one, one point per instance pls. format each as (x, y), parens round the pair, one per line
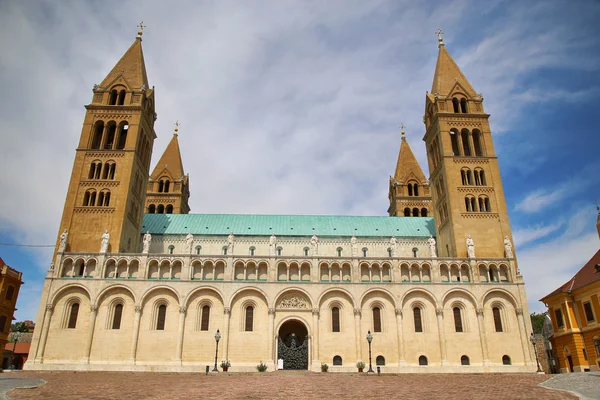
(137, 283)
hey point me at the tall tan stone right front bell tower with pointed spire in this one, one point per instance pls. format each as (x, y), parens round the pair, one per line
(468, 198)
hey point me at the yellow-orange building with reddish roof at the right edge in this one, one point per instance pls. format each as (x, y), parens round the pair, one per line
(574, 309)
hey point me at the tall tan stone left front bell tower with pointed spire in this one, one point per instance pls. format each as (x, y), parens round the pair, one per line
(112, 160)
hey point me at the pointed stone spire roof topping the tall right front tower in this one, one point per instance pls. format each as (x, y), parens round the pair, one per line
(447, 74)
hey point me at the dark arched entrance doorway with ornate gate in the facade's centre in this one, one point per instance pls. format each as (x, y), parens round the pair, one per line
(292, 346)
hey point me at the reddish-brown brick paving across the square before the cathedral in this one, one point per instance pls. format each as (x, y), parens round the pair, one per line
(127, 385)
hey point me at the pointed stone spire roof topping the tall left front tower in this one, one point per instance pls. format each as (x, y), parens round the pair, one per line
(131, 67)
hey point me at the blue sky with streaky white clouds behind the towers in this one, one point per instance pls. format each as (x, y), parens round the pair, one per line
(291, 107)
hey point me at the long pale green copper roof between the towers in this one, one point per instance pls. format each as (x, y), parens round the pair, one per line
(287, 225)
